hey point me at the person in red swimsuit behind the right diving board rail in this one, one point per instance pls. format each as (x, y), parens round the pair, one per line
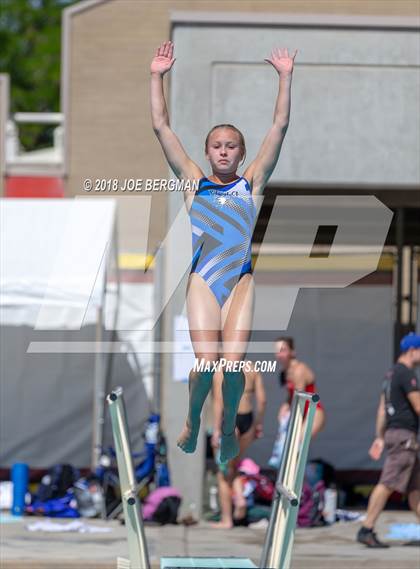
(296, 375)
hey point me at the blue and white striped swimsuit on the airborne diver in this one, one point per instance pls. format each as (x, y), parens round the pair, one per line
(222, 221)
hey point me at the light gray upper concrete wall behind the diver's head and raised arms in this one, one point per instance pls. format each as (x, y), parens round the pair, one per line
(355, 96)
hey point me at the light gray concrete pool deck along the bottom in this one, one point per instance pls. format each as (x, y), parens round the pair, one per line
(318, 548)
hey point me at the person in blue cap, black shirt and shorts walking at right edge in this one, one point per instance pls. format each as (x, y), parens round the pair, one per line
(397, 426)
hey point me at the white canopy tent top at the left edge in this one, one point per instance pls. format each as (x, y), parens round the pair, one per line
(54, 255)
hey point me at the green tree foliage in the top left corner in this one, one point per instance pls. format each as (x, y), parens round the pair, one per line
(30, 40)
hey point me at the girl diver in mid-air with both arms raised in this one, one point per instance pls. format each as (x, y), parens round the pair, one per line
(220, 291)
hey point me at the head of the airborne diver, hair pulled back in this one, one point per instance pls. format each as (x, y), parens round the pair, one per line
(224, 151)
